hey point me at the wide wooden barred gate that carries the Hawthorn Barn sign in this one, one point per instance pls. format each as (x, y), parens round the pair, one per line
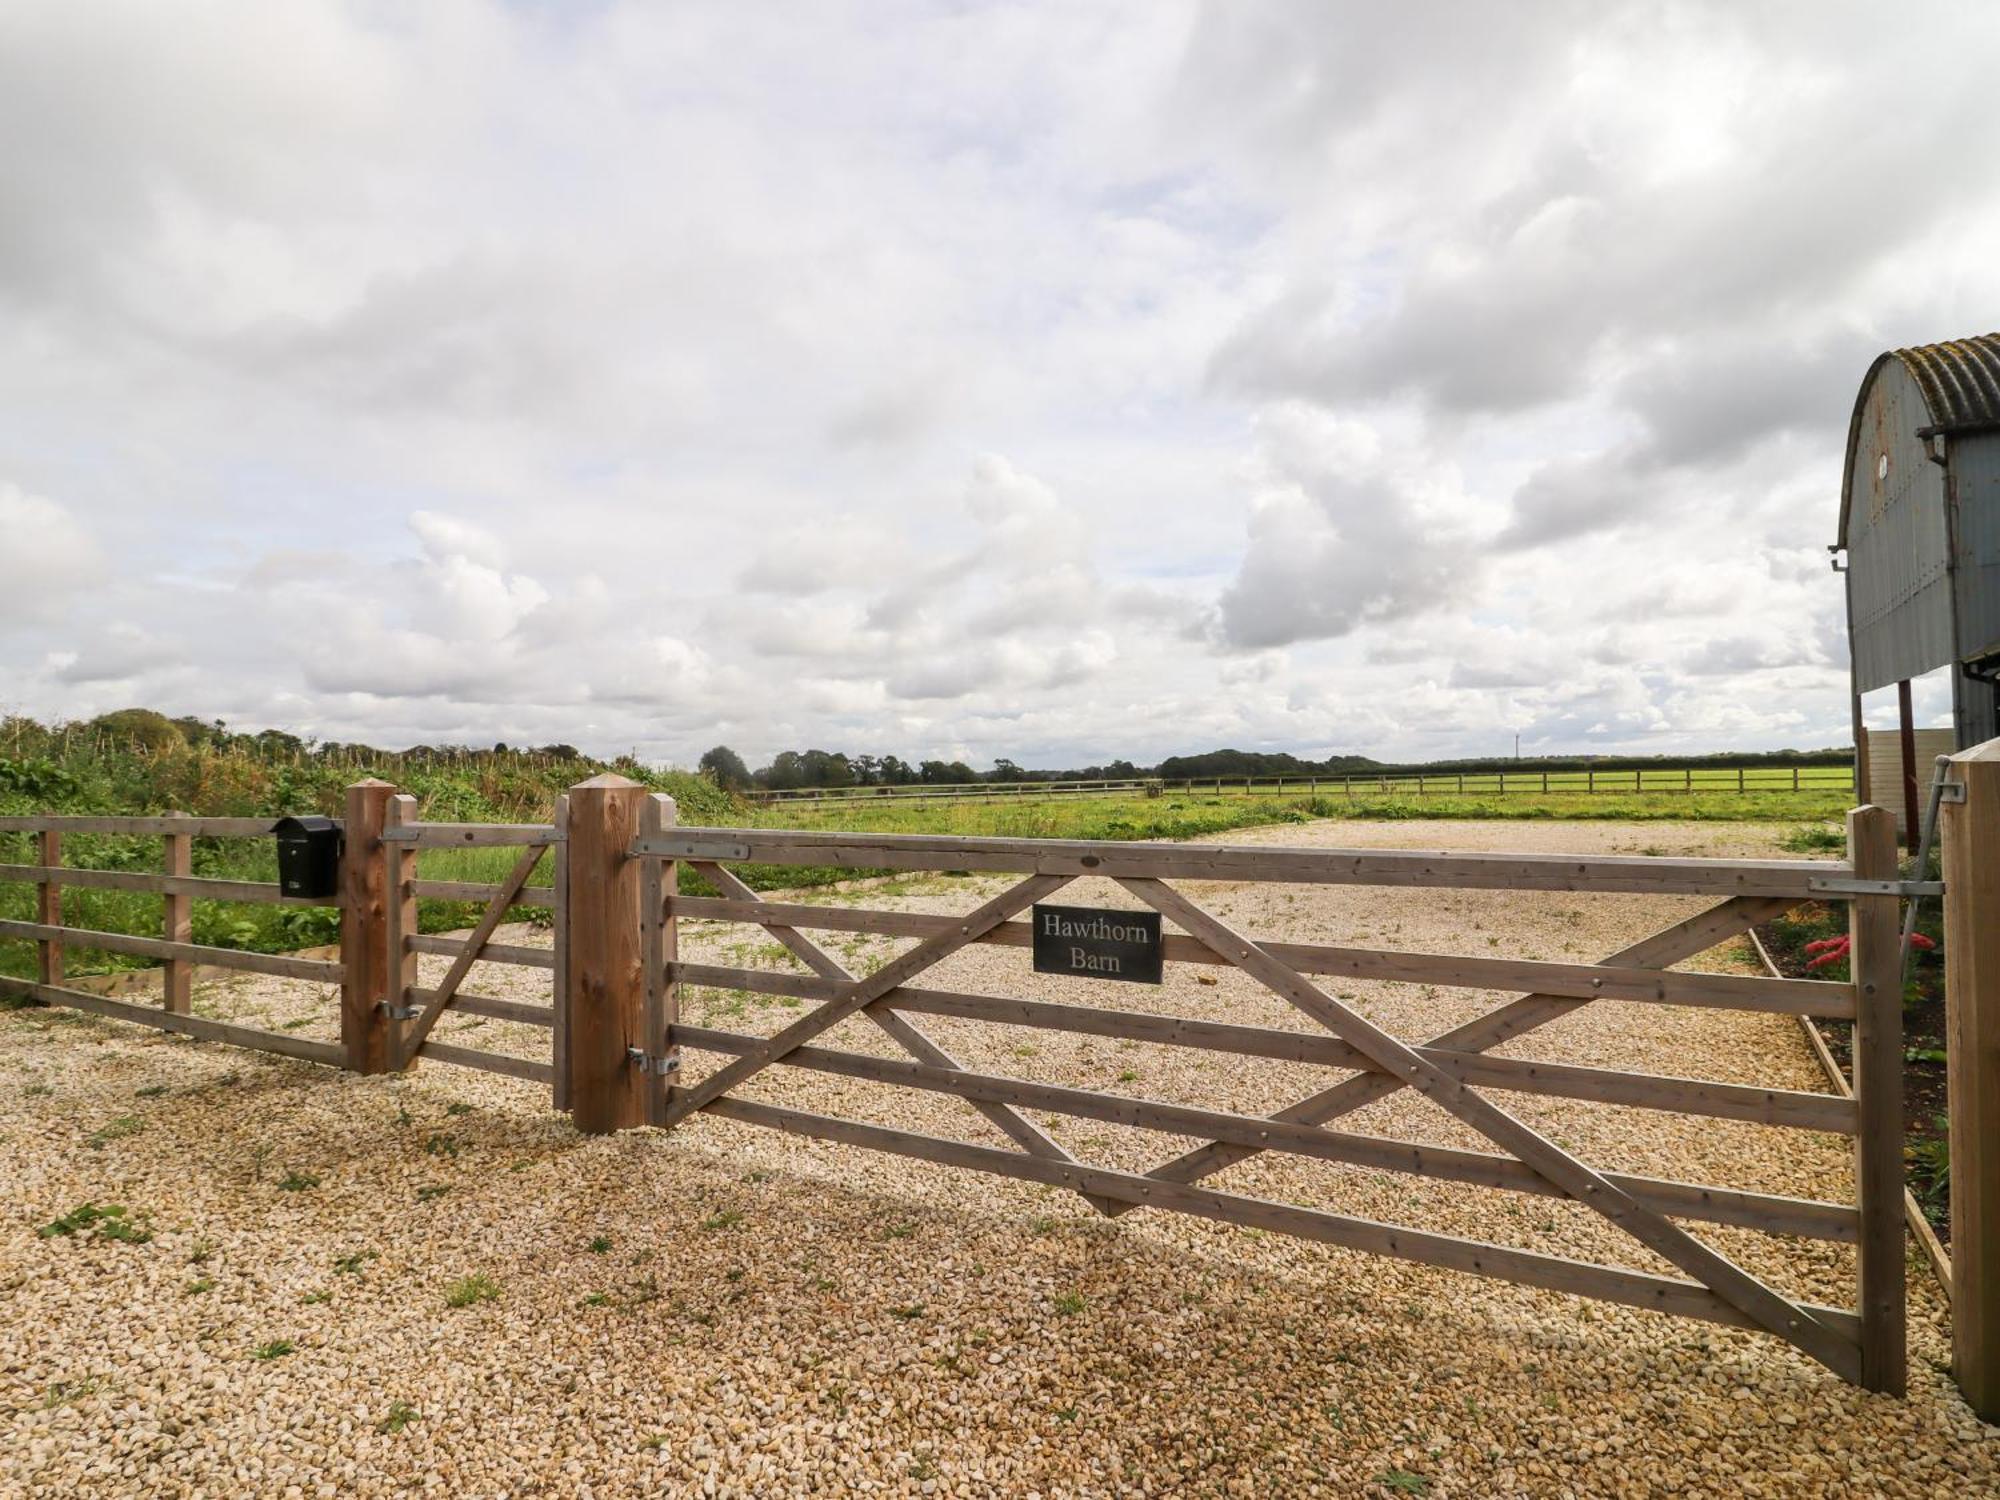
(1455, 1069)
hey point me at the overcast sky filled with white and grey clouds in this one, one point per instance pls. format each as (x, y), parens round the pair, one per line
(1043, 381)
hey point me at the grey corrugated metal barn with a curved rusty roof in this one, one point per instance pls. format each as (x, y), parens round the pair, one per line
(1921, 529)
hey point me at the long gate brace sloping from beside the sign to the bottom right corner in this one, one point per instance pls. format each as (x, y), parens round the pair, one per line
(1521, 1141)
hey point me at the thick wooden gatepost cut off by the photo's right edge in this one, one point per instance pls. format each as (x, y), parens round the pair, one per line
(1973, 1071)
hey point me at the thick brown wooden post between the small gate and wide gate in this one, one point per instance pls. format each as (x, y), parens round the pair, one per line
(607, 983)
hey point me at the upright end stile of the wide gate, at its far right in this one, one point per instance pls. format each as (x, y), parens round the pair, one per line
(1877, 965)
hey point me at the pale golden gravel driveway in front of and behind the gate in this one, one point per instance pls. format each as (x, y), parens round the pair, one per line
(371, 1287)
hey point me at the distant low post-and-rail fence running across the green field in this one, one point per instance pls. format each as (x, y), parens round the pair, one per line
(1723, 781)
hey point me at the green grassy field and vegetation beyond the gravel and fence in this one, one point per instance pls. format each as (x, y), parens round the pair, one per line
(523, 789)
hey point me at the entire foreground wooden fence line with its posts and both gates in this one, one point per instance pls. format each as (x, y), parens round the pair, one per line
(619, 1043)
